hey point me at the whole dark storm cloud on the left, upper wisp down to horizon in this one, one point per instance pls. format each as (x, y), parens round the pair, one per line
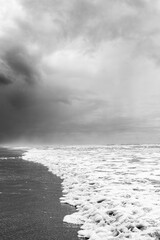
(28, 107)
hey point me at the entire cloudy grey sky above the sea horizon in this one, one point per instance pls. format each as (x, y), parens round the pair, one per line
(79, 71)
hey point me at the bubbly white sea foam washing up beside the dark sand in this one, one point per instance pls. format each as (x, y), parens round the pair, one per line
(115, 189)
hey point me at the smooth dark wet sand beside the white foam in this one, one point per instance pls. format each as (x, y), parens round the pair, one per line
(29, 202)
